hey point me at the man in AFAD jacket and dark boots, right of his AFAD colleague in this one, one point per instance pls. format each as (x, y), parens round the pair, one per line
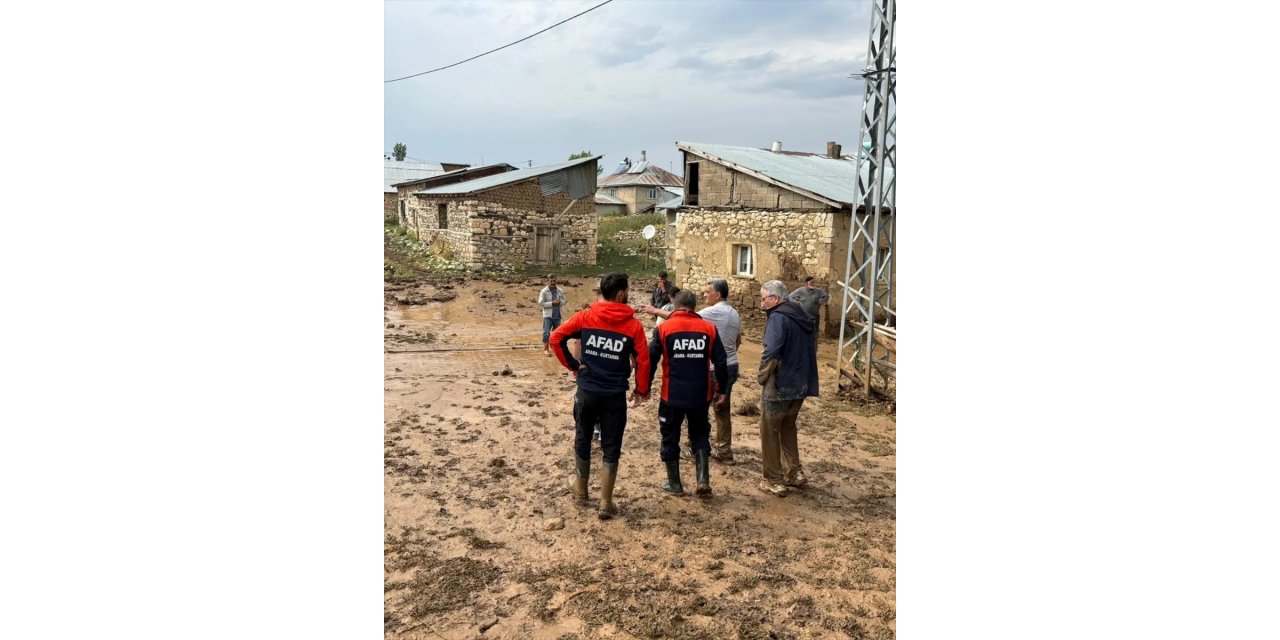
(691, 346)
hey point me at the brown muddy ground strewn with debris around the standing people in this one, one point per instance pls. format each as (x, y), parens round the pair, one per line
(484, 541)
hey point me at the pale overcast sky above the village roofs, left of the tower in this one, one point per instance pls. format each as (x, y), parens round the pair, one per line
(630, 76)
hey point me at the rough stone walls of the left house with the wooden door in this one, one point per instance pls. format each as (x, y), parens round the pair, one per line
(497, 227)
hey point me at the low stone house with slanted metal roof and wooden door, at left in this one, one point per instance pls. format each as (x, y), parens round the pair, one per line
(542, 216)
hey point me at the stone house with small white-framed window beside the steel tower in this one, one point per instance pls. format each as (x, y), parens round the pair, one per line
(752, 216)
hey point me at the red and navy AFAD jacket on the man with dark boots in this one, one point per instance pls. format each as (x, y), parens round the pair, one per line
(691, 346)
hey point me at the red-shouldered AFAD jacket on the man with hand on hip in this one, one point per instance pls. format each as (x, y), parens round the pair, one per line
(611, 340)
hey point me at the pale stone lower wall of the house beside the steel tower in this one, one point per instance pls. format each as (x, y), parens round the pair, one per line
(787, 245)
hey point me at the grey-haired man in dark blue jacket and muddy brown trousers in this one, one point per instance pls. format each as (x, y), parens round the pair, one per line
(789, 374)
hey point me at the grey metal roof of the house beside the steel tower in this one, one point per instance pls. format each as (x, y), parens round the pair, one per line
(819, 175)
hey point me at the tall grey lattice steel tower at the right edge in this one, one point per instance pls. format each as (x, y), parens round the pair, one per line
(868, 323)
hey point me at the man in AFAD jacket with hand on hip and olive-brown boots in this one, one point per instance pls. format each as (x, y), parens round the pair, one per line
(611, 341)
